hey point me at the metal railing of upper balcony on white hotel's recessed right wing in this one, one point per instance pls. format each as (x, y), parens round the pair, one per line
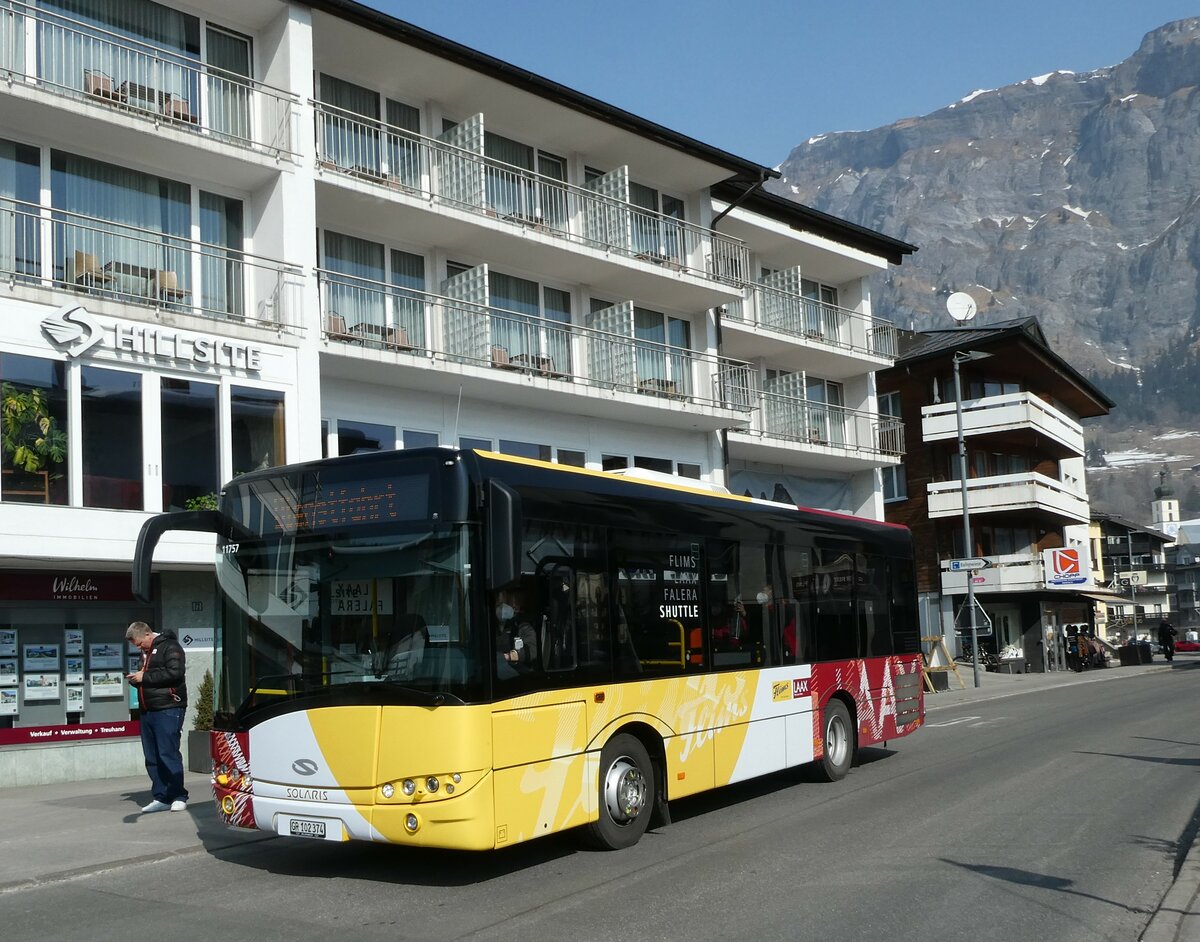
(817, 321)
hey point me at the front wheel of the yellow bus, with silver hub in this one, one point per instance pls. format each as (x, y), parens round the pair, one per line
(627, 795)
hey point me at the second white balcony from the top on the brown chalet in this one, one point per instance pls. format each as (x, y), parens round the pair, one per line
(1030, 493)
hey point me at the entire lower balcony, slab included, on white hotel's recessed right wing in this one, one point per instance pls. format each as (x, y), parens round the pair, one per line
(832, 437)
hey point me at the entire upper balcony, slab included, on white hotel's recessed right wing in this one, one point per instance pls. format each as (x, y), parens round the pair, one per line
(805, 334)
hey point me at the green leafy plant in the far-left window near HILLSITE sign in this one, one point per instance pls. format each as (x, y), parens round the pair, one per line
(33, 441)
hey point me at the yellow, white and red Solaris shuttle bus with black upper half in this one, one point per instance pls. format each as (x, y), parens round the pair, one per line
(464, 650)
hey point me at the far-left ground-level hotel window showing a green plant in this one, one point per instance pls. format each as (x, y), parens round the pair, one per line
(37, 435)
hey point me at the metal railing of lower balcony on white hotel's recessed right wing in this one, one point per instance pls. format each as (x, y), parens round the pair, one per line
(794, 419)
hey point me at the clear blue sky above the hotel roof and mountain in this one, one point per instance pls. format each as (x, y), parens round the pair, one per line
(759, 79)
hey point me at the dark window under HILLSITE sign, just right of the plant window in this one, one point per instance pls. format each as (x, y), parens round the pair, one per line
(112, 439)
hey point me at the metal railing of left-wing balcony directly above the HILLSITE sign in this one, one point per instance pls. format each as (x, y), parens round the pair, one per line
(40, 245)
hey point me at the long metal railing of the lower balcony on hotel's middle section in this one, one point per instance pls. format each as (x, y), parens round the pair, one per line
(359, 311)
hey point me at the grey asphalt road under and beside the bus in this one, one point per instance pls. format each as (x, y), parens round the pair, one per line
(1053, 815)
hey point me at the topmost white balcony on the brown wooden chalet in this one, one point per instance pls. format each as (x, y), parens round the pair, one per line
(1018, 413)
